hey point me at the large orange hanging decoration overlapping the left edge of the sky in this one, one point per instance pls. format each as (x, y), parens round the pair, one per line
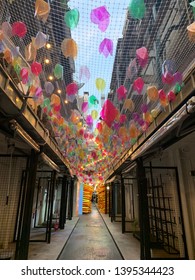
(69, 48)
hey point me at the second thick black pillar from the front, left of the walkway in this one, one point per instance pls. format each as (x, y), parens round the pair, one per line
(63, 203)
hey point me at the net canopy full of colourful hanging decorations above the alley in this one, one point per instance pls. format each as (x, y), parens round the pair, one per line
(100, 71)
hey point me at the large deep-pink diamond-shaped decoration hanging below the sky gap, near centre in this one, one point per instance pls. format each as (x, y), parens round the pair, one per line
(108, 112)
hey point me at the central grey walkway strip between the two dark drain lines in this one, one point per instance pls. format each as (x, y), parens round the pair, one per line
(90, 240)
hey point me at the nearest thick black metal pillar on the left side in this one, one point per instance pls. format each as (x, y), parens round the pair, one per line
(25, 225)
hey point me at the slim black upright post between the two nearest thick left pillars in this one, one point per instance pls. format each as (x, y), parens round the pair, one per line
(50, 212)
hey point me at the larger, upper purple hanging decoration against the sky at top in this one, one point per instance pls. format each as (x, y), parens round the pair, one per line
(101, 17)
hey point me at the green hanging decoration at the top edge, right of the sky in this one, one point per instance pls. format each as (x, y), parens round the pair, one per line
(137, 9)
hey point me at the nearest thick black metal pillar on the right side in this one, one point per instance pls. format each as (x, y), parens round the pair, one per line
(145, 253)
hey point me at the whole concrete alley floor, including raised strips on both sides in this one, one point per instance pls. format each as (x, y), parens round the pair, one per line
(88, 237)
